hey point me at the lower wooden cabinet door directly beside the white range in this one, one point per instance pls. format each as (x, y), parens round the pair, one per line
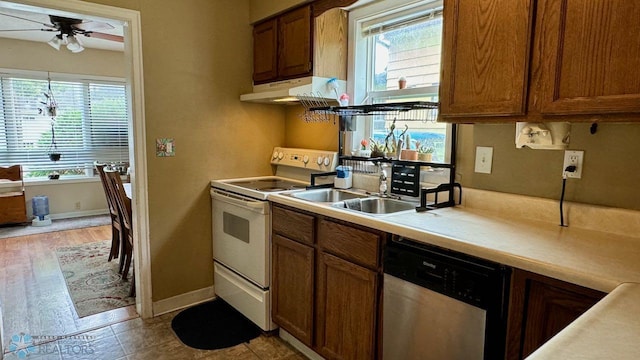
(292, 287)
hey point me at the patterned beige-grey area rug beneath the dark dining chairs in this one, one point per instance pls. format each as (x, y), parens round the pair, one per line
(93, 282)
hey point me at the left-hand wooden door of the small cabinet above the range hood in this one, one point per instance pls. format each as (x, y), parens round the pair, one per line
(265, 51)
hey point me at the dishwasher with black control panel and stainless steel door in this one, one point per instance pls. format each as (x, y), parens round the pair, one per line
(440, 304)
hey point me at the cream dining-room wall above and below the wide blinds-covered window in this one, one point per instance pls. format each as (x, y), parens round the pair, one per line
(67, 198)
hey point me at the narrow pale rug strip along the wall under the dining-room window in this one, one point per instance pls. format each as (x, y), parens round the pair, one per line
(56, 225)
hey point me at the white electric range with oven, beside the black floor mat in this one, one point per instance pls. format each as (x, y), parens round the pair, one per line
(241, 224)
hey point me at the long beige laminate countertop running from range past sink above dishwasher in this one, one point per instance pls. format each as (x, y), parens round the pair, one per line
(593, 259)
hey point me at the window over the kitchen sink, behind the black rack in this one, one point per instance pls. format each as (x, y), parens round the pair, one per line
(395, 49)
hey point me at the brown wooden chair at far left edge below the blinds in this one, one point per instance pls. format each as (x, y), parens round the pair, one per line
(13, 204)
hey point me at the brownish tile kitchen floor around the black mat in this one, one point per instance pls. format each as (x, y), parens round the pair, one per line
(152, 339)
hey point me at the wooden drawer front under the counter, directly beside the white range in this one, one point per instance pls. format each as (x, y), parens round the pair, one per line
(293, 225)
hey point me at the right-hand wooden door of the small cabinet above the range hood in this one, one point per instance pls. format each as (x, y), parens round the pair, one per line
(294, 43)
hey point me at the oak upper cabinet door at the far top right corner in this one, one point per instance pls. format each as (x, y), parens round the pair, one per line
(588, 52)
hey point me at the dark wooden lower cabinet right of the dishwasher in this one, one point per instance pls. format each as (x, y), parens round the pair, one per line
(540, 308)
